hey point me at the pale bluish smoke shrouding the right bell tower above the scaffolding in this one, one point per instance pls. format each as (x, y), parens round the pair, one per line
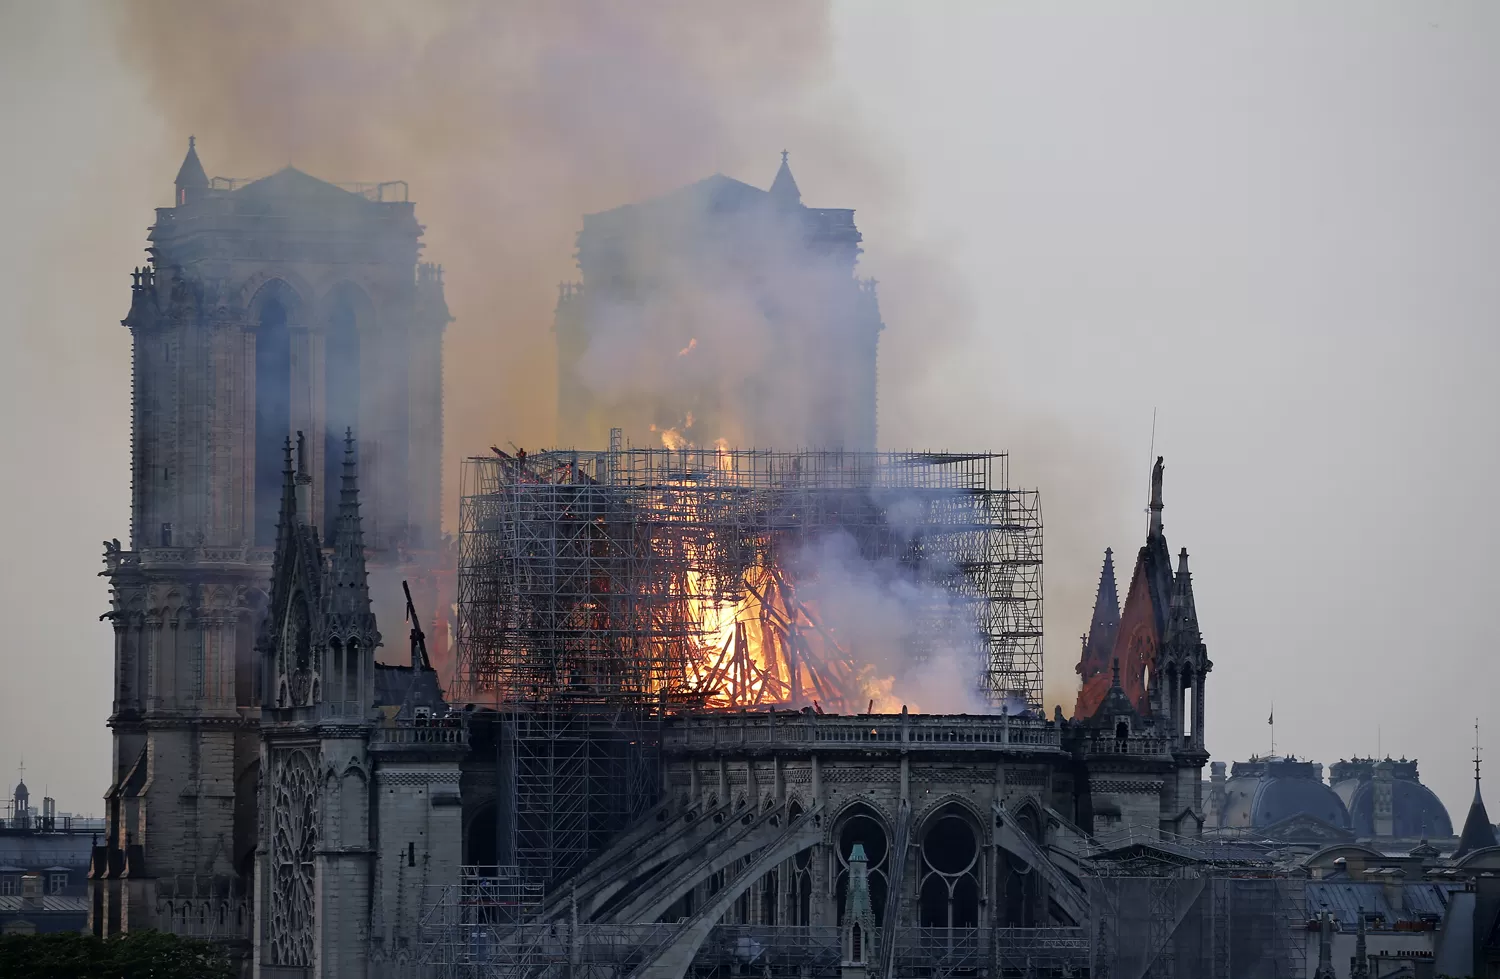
(710, 319)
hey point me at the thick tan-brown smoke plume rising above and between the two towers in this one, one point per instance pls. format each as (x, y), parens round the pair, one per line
(511, 121)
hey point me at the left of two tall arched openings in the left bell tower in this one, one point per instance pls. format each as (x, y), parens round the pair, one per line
(272, 407)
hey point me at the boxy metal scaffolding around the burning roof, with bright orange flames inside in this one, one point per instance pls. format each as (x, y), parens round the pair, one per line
(679, 578)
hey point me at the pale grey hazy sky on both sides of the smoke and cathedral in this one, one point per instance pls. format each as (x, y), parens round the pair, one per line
(1273, 226)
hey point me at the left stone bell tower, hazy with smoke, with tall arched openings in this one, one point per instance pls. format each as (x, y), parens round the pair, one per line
(266, 308)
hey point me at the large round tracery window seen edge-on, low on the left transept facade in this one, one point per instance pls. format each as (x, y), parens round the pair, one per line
(295, 845)
